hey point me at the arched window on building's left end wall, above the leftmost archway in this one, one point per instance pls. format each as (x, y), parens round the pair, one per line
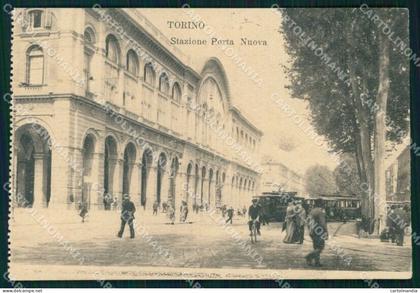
(35, 66)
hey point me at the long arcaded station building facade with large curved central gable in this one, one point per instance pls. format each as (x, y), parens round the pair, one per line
(102, 107)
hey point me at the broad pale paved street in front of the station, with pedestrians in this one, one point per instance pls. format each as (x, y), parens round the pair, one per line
(202, 244)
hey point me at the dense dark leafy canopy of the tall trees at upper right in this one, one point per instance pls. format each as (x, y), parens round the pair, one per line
(348, 38)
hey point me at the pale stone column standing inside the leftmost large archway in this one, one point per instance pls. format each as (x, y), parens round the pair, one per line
(39, 181)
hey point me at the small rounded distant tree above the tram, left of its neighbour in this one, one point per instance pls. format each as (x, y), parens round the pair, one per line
(319, 180)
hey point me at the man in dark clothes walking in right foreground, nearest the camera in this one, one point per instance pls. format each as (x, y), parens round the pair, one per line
(318, 231)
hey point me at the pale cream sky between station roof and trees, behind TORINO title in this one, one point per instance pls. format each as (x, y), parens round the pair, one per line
(284, 140)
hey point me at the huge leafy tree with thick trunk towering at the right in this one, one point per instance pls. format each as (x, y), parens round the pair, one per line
(347, 68)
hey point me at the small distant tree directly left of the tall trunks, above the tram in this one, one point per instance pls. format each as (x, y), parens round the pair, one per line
(347, 176)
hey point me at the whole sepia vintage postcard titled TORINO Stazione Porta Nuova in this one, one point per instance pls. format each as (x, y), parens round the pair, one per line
(210, 144)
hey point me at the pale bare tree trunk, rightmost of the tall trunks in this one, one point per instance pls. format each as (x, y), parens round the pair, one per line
(380, 132)
